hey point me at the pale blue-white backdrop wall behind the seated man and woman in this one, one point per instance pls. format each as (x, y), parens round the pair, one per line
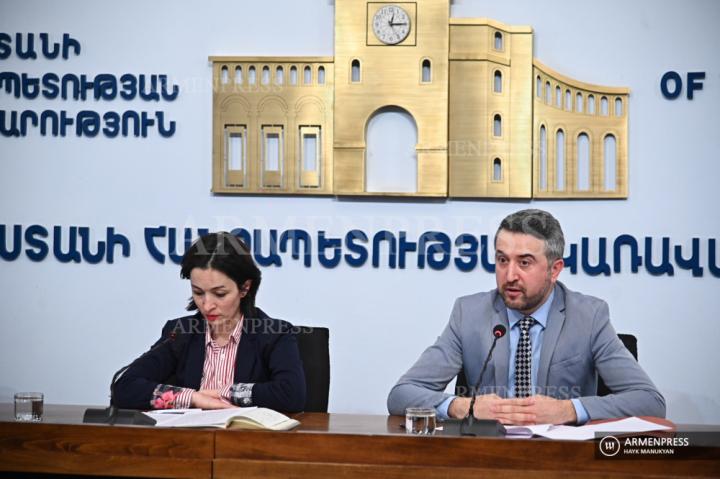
(67, 327)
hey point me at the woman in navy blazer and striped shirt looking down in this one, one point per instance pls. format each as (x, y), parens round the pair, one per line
(192, 364)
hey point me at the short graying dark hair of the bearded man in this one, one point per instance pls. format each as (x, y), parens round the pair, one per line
(540, 224)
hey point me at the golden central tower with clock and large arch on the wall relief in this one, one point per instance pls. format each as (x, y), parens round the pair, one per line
(391, 55)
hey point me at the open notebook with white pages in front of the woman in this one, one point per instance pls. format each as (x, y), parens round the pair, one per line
(233, 418)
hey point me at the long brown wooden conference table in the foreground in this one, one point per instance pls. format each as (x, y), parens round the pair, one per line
(325, 445)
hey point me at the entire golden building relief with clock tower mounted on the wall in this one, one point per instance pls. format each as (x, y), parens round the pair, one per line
(491, 121)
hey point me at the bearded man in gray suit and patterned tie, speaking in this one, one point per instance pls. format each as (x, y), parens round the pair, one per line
(545, 369)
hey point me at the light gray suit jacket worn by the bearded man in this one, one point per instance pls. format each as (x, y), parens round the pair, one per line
(578, 343)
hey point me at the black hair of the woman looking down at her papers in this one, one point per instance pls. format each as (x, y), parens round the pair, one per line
(228, 254)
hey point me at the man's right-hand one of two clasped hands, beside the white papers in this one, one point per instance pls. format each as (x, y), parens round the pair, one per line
(534, 410)
